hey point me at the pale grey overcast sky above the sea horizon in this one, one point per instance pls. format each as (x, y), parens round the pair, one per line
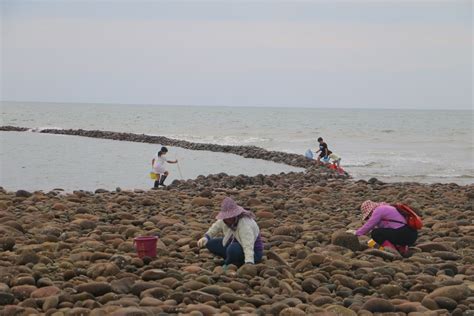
(329, 54)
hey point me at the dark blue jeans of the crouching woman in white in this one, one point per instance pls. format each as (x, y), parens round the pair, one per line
(233, 253)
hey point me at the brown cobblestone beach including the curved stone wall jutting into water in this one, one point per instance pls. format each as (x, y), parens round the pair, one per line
(73, 253)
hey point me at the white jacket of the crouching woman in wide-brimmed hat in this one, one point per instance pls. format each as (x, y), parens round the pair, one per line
(246, 234)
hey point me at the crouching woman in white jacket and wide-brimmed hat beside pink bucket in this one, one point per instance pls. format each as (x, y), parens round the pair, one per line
(241, 242)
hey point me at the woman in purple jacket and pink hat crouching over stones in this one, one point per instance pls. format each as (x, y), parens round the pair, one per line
(387, 226)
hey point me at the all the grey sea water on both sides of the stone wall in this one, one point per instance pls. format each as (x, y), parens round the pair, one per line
(429, 146)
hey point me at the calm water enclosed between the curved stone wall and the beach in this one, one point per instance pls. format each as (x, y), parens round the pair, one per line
(35, 161)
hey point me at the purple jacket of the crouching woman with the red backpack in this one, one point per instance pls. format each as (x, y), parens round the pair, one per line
(381, 218)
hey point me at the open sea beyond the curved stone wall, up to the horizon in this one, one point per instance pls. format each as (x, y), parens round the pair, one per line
(392, 145)
